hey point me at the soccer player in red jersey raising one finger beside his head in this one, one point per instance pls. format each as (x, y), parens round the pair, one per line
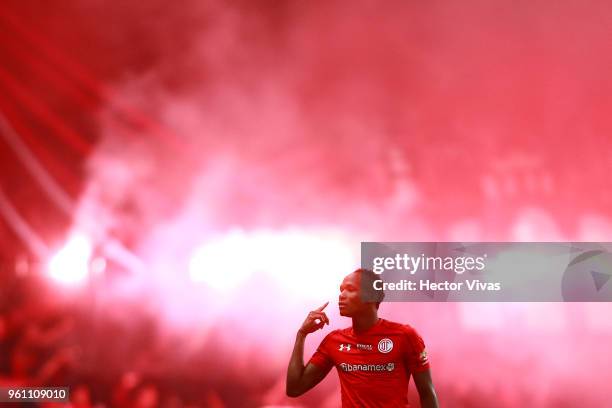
(374, 358)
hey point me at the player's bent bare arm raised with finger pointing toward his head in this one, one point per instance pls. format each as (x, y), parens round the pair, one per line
(299, 378)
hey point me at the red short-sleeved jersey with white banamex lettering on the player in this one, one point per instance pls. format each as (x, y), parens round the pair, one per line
(374, 366)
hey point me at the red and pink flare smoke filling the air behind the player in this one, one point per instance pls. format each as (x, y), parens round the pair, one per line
(172, 125)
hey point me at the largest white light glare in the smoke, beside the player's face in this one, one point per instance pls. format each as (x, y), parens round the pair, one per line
(304, 263)
